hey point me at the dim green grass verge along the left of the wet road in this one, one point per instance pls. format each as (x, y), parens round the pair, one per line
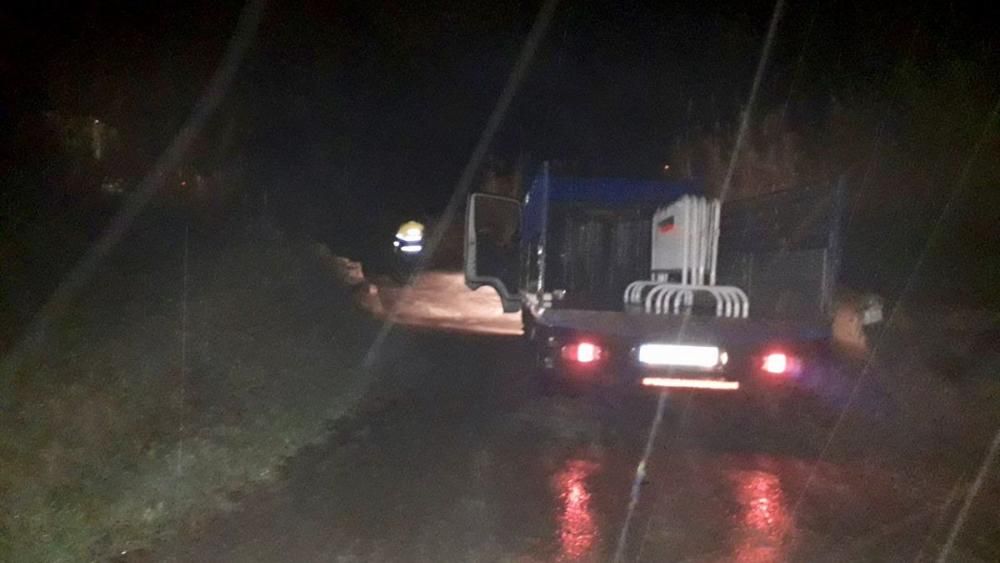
(168, 386)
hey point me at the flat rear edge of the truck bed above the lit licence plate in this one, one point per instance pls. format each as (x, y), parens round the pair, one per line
(643, 327)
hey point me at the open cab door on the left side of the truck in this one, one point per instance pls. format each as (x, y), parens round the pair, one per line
(492, 246)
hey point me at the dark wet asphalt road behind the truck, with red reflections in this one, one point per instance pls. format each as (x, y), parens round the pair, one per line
(455, 457)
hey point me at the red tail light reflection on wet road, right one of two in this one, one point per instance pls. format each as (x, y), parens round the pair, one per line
(763, 522)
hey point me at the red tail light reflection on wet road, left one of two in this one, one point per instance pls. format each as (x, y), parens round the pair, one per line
(578, 532)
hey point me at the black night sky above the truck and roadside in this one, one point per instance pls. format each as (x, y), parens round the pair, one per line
(383, 102)
